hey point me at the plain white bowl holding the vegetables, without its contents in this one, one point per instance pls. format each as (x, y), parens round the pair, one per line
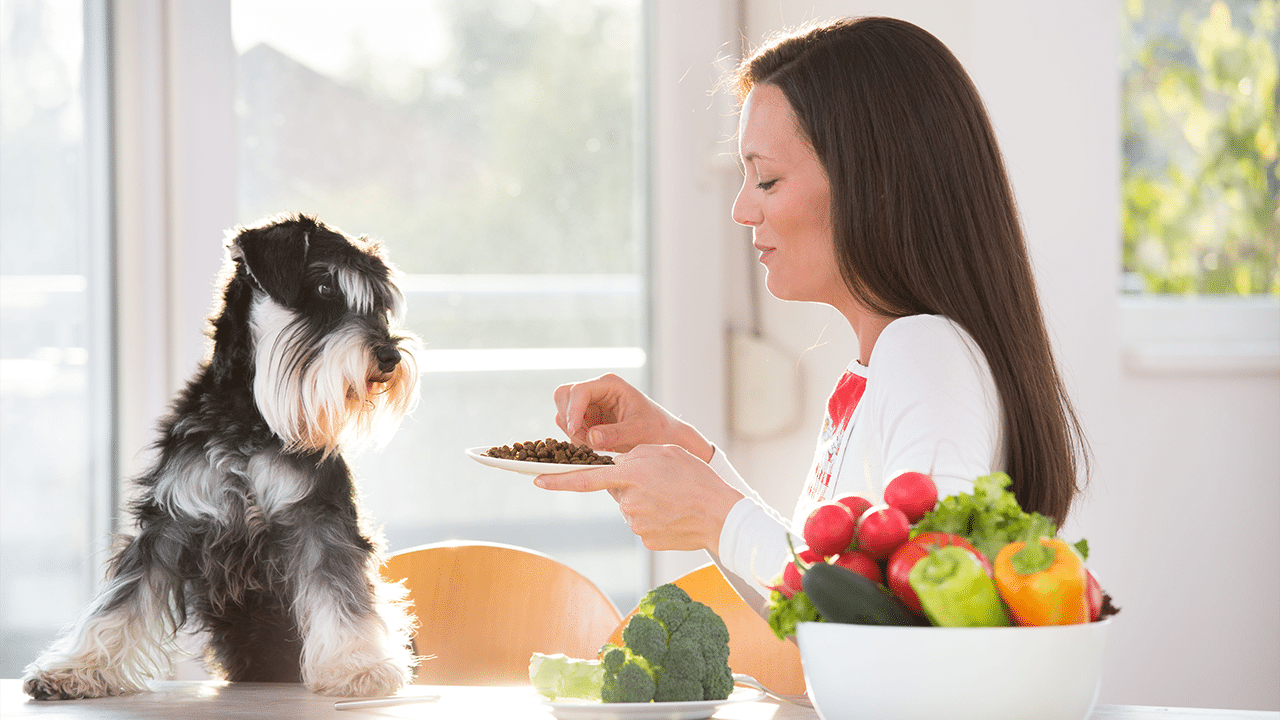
(890, 673)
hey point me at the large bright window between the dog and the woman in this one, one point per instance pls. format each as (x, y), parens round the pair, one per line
(493, 148)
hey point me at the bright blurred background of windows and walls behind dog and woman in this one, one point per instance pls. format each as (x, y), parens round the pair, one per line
(554, 179)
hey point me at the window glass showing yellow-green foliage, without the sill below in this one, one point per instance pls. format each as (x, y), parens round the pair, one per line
(1201, 179)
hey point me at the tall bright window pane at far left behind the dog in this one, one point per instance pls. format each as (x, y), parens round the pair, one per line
(57, 459)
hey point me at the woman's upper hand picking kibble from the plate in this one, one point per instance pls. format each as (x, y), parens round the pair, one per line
(609, 414)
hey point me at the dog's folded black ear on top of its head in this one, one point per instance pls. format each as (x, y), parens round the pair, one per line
(275, 256)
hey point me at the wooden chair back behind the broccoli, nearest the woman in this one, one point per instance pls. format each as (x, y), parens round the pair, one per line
(753, 649)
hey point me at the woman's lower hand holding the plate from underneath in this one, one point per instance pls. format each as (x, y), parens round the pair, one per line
(669, 498)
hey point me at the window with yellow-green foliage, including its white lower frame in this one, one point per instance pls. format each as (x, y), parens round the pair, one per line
(1201, 233)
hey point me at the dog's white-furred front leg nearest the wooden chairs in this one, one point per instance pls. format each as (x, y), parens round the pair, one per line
(355, 642)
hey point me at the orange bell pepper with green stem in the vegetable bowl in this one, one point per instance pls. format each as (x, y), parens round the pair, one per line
(1044, 584)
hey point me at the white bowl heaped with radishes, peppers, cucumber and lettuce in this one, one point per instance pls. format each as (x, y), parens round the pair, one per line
(962, 608)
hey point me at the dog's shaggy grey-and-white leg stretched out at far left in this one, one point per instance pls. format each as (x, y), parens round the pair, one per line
(124, 639)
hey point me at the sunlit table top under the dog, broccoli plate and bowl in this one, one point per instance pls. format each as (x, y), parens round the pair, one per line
(213, 700)
